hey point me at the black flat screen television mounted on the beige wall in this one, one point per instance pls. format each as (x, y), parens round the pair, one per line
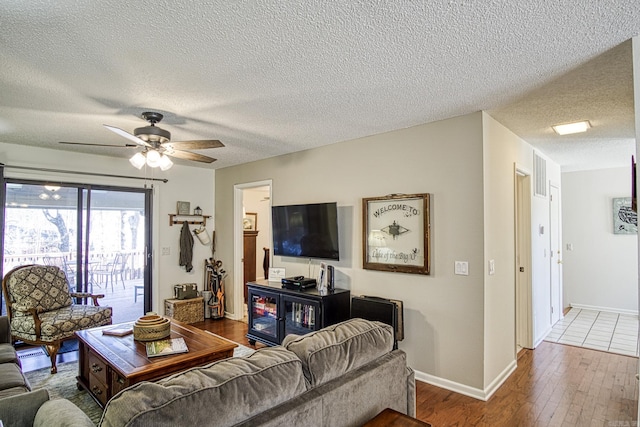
(306, 231)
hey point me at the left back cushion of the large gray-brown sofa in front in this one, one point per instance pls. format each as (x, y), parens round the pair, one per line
(223, 393)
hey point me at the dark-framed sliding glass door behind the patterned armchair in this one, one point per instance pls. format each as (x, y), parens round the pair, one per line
(98, 235)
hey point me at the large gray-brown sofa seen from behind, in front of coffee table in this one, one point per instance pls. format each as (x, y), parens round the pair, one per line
(342, 375)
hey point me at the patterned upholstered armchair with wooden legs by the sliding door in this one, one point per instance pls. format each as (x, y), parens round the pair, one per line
(41, 310)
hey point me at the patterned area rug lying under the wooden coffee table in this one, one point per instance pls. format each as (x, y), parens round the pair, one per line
(63, 384)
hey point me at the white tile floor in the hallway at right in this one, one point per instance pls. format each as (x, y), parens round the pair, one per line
(599, 330)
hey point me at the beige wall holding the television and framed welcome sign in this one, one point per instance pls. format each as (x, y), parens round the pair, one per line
(443, 312)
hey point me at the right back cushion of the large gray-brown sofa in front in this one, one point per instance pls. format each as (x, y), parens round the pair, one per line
(335, 350)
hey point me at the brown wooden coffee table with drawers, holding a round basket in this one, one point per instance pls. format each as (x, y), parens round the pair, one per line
(109, 364)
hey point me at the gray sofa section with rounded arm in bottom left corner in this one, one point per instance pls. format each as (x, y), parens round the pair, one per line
(19, 406)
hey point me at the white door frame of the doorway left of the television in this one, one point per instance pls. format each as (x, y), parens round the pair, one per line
(238, 242)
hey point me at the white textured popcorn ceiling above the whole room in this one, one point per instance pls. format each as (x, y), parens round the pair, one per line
(270, 77)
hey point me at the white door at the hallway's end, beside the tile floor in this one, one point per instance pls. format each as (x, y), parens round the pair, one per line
(555, 259)
